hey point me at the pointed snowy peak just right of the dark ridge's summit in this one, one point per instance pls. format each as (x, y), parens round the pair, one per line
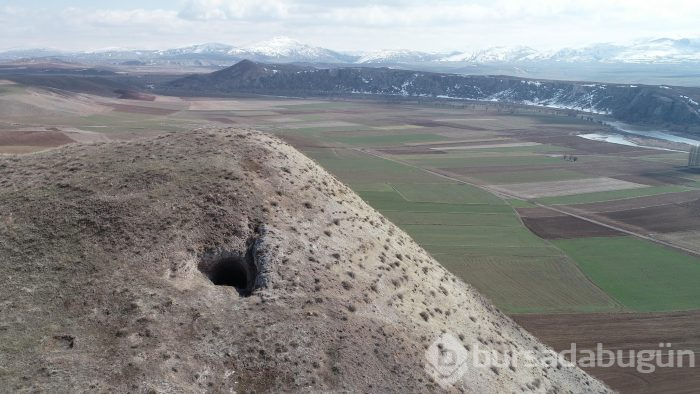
(287, 49)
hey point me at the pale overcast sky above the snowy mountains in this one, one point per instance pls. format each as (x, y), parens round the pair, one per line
(342, 24)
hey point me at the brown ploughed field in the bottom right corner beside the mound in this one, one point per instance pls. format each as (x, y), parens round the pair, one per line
(625, 332)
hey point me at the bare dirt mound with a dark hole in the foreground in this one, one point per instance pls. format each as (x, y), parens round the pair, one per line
(226, 261)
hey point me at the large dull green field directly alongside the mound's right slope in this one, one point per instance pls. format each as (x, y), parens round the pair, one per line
(479, 238)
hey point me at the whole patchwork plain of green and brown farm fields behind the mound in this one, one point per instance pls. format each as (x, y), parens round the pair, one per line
(472, 183)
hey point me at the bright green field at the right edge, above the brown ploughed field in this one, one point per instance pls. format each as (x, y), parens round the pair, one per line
(642, 276)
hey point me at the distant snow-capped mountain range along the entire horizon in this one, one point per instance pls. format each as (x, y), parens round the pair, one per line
(287, 50)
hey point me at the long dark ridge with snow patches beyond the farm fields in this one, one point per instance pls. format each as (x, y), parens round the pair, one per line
(642, 104)
